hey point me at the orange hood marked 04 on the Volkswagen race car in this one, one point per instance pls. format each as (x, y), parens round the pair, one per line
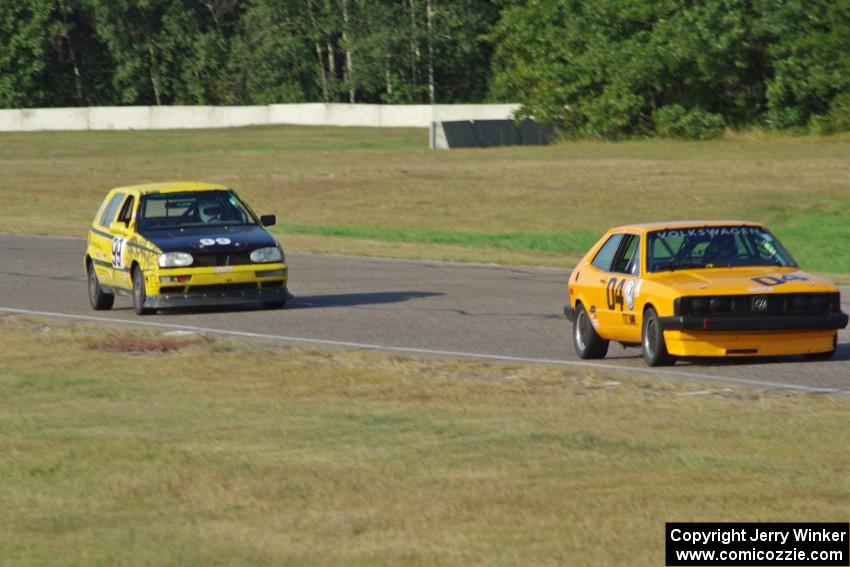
(732, 281)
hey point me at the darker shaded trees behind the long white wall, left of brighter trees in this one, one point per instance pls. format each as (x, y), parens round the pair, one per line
(156, 52)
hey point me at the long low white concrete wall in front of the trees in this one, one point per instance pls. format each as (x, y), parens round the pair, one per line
(307, 114)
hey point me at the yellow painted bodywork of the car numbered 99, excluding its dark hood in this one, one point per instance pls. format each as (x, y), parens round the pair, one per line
(115, 249)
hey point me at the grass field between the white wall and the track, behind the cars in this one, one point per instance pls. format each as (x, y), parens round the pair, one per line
(382, 192)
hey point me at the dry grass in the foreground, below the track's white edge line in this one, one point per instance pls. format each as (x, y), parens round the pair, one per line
(124, 448)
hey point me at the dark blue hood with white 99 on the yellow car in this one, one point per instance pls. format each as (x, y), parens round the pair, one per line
(211, 239)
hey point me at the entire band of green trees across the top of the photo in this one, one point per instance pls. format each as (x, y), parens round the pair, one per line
(598, 68)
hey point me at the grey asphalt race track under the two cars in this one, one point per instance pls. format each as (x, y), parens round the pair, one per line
(407, 307)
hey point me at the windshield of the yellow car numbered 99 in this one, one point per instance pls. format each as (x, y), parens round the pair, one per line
(192, 209)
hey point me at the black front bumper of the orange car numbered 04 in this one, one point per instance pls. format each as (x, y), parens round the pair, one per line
(829, 322)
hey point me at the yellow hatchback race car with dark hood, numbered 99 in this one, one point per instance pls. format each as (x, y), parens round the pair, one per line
(182, 245)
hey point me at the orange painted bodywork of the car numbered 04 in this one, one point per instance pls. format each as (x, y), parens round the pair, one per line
(617, 299)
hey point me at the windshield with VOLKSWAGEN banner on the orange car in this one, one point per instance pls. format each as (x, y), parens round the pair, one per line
(714, 247)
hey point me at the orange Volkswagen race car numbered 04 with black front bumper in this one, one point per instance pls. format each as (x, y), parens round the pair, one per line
(700, 289)
